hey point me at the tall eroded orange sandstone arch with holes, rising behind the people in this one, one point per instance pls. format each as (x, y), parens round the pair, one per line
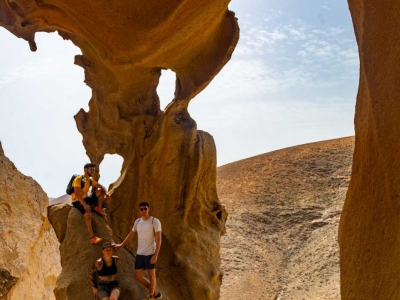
(125, 45)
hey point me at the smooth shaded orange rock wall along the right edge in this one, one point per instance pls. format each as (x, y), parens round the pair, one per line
(369, 227)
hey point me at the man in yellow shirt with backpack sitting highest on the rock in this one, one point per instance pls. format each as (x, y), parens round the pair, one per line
(82, 202)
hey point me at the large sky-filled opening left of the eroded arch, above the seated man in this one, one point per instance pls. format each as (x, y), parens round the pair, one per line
(40, 93)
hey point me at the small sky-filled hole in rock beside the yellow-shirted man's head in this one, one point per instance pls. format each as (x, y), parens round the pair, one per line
(110, 169)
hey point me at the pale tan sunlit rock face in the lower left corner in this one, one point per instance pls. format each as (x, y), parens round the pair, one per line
(29, 260)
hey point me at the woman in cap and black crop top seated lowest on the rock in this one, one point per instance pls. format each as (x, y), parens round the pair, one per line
(107, 287)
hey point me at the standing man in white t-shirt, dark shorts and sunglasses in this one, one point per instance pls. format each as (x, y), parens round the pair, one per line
(148, 229)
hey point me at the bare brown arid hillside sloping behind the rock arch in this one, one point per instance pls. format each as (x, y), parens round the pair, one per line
(284, 209)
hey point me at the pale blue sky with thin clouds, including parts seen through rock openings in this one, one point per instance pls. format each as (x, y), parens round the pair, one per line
(292, 79)
